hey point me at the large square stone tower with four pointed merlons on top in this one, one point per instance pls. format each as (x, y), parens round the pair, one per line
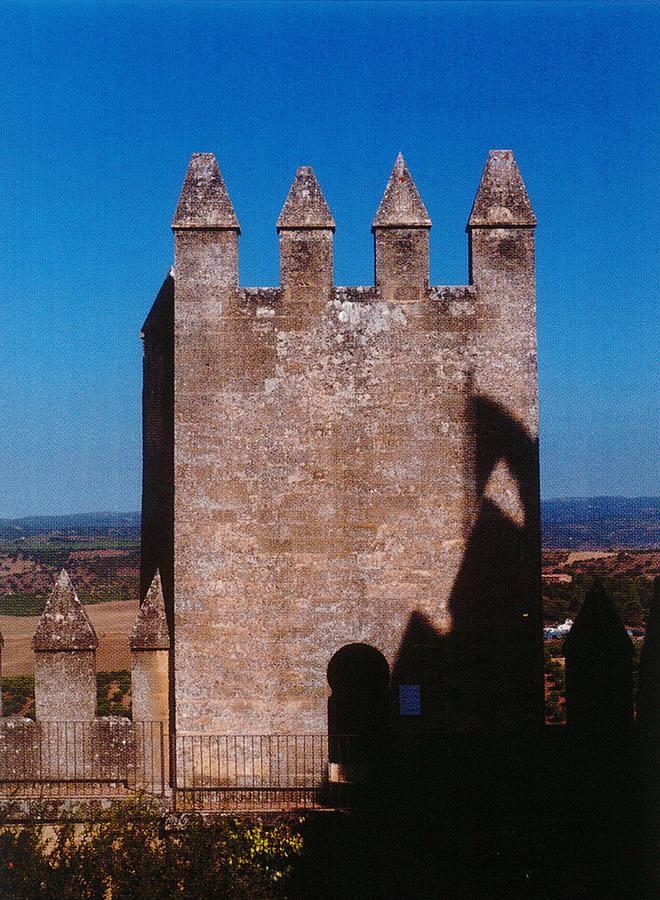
(341, 484)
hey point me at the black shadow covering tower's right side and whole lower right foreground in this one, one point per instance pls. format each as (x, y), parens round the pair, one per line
(474, 797)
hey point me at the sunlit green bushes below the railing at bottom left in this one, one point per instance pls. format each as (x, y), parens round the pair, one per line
(128, 851)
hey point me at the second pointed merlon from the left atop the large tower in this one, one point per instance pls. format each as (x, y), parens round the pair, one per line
(306, 229)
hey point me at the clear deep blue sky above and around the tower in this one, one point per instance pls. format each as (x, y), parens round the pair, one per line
(102, 105)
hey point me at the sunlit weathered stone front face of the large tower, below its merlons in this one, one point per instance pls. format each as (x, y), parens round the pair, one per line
(325, 491)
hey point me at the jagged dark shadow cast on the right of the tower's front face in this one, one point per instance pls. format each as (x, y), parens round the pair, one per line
(485, 675)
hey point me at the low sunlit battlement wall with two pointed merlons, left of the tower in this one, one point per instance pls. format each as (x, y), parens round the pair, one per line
(67, 743)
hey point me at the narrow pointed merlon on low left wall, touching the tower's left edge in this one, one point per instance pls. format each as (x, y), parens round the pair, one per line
(150, 649)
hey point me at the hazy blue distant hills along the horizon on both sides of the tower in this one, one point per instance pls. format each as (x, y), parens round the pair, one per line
(581, 523)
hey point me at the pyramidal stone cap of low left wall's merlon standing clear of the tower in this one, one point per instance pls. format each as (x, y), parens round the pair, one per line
(64, 624)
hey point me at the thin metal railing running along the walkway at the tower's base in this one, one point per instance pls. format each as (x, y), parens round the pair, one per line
(114, 757)
